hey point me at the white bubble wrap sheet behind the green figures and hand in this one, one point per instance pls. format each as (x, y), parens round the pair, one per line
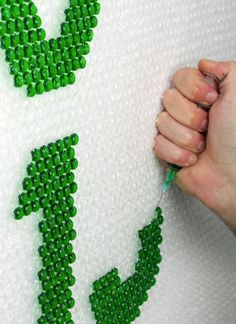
(112, 106)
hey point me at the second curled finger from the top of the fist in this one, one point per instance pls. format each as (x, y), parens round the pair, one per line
(185, 111)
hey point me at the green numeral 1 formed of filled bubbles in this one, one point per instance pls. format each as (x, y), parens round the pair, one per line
(49, 186)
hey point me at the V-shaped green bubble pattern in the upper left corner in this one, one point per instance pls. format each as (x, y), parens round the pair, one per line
(39, 64)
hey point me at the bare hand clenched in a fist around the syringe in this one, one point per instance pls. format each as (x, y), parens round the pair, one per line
(203, 142)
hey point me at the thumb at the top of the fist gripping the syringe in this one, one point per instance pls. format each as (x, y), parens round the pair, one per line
(223, 72)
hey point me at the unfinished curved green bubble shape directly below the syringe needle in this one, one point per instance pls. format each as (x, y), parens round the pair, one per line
(114, 302)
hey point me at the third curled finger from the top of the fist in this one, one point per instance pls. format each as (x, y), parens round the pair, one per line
(179, 134)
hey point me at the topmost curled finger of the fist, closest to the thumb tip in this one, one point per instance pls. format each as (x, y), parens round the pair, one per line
(192, 84)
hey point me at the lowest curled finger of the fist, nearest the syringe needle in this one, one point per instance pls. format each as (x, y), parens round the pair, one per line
(171, 153)
